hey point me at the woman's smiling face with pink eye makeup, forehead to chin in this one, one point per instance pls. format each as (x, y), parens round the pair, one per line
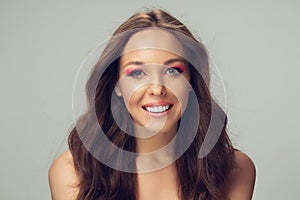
(153, 81)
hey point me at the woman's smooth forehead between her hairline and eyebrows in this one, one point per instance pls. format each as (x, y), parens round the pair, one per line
(154, 40)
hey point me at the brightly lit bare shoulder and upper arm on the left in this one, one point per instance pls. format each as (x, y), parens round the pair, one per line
(62, 177)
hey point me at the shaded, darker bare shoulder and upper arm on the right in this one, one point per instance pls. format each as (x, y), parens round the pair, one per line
(241, 180)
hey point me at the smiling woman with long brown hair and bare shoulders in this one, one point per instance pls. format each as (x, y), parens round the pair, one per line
(150, 90)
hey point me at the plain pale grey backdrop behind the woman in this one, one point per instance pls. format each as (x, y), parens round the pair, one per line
(255, 44)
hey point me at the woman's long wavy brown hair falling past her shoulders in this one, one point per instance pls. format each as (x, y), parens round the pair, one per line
(199, 178)
